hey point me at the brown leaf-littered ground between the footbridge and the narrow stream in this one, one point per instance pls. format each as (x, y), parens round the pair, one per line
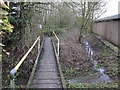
(73, 56)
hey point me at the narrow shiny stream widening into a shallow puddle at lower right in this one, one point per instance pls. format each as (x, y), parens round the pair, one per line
(97, 77)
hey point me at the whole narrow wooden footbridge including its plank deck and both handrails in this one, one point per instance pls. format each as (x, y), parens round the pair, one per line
(47, 71)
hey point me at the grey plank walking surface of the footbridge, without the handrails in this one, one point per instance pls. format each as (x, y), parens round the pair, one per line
(47, 76)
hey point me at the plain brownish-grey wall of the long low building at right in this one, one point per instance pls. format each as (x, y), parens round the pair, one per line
(108, 30)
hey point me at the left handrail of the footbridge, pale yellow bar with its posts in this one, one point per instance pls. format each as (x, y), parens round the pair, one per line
(14, 70)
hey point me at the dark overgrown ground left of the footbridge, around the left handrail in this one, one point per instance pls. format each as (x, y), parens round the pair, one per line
(10, 61)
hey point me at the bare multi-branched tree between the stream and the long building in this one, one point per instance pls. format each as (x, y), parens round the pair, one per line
(86, 13)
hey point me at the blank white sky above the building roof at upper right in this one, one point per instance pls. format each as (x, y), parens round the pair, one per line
(112, 8)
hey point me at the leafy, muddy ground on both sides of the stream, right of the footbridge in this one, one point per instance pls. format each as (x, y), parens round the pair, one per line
(76, 63)
